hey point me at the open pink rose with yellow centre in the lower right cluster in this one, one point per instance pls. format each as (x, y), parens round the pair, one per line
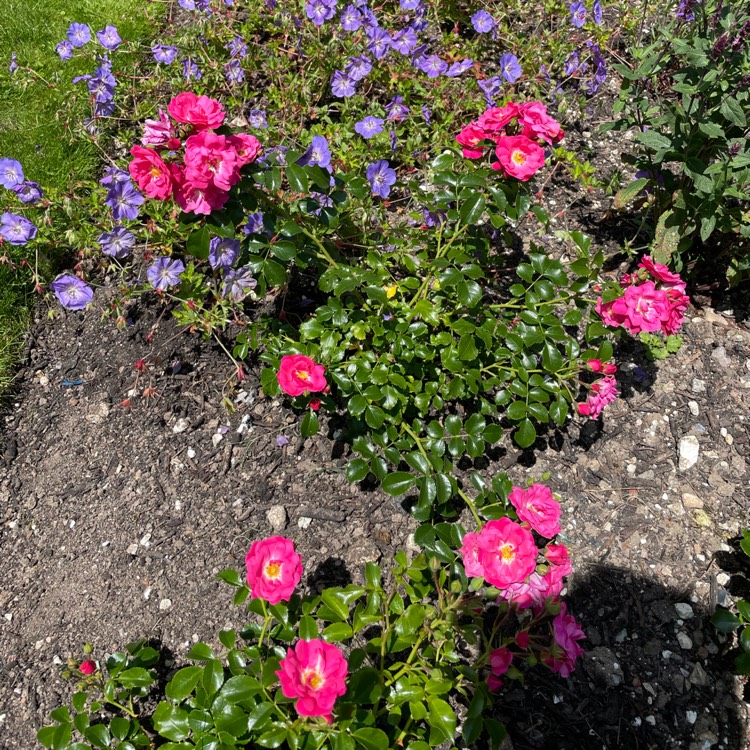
(507, 552)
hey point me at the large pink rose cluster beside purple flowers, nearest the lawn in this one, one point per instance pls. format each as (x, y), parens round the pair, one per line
(202, 165)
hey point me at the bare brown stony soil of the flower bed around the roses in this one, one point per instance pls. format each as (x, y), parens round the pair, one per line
(117, 510)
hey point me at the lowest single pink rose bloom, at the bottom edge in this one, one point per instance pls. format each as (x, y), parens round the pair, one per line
(314, 673)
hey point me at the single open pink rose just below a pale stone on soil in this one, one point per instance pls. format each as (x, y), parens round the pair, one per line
(273, 569)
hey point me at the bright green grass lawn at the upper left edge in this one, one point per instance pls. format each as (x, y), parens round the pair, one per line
(32, 127)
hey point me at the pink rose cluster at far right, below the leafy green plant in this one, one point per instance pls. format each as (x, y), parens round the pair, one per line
(654, 299)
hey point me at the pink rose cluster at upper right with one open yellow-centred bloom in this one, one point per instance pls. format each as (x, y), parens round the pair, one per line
(516, 130)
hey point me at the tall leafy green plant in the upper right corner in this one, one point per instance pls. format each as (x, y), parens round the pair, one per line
(687, 94)
